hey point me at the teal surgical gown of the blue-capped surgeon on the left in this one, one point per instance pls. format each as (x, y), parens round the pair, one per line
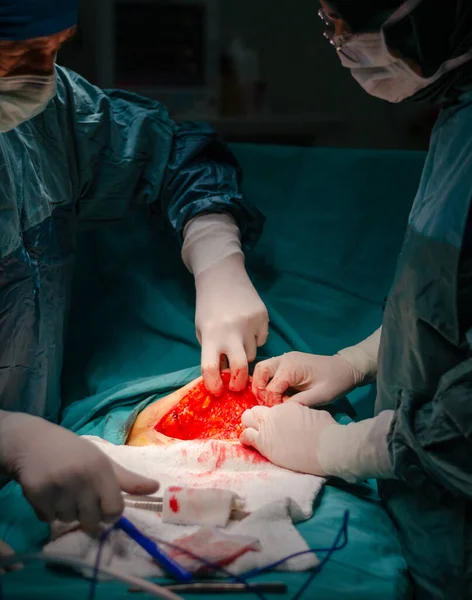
(83, 161)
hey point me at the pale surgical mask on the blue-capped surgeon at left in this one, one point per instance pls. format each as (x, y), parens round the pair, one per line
(23, 97)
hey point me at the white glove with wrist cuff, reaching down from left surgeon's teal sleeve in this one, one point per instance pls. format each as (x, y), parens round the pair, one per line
(231, 320)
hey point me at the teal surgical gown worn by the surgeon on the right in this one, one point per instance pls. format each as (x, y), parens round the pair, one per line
(425, 369)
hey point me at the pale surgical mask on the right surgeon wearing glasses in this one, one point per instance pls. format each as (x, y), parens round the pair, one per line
(379, 72)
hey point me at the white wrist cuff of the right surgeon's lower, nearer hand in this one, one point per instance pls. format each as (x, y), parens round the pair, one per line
(357, 451)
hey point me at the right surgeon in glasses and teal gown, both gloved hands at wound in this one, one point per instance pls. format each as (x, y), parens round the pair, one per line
(419, 443)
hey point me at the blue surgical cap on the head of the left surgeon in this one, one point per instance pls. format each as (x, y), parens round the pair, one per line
(27, 19)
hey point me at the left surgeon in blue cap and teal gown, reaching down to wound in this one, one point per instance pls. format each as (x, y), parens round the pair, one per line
(69, 154)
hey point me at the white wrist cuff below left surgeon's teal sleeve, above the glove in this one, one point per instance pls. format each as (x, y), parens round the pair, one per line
(209, 239)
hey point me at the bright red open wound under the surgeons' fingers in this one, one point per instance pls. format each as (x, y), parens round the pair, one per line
(200, 415)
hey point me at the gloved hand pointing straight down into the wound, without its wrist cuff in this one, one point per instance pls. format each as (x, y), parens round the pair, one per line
(231, 321)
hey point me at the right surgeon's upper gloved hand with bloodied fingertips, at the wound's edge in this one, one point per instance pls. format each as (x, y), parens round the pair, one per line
(317, 379)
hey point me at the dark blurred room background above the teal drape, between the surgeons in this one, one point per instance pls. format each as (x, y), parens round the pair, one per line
(301, 95)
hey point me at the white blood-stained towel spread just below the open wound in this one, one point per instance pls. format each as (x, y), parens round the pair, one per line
(275, 497)
